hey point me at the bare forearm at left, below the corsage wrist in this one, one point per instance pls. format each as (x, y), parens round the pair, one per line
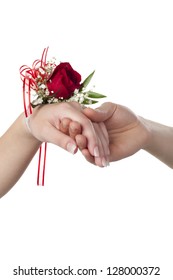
(17, 148)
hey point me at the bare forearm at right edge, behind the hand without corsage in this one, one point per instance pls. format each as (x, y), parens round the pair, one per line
(160, 141)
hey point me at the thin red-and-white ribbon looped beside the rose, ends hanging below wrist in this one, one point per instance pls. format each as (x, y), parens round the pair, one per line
(28, 76)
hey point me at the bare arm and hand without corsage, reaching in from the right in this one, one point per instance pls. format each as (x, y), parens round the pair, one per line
(128, 134)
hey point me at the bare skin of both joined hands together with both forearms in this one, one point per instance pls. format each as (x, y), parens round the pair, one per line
(110, 133)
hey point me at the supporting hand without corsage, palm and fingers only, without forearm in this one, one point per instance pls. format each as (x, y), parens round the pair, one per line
(127, 132)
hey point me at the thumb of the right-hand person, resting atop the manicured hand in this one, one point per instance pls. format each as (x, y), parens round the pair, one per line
(102, 113)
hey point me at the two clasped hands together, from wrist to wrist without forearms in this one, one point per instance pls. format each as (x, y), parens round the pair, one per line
(108, 133)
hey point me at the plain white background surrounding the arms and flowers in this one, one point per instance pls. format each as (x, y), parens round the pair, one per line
(85, 216)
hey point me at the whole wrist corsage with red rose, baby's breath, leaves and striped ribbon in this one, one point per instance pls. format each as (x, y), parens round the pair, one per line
(46, 83)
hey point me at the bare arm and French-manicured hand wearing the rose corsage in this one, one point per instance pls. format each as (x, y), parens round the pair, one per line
(18, 145)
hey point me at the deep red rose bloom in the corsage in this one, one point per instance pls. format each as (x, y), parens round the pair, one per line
(63, 81)
